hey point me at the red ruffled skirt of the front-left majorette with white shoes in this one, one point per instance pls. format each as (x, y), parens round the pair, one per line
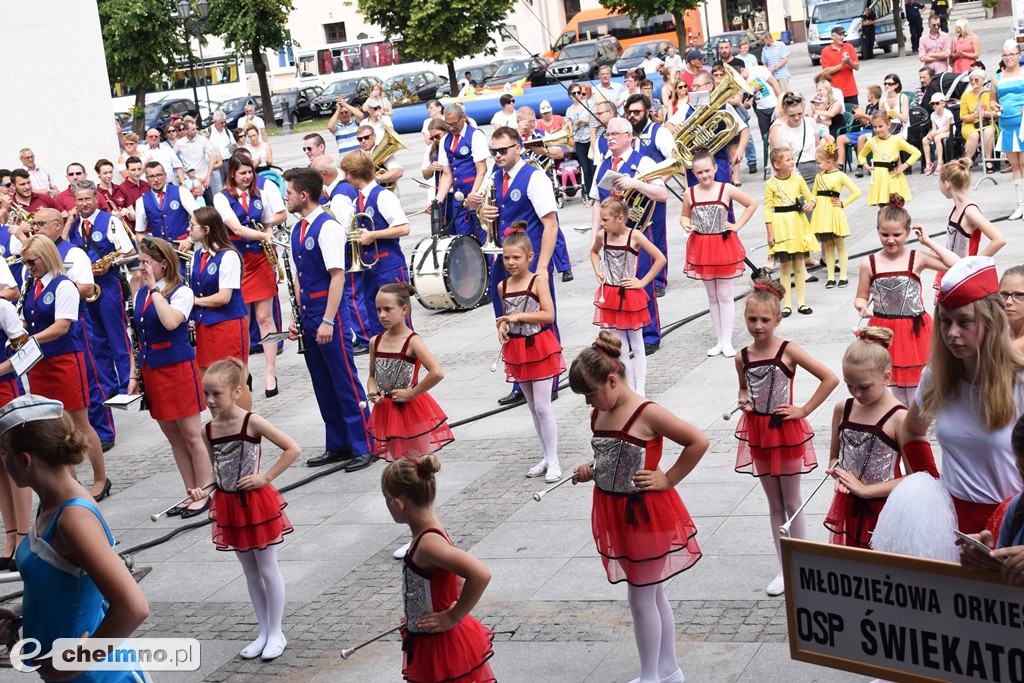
(247, 520)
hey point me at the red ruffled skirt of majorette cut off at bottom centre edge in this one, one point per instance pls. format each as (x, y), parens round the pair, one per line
(460, 655)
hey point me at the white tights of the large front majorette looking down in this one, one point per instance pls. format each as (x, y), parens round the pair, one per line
(655, 630)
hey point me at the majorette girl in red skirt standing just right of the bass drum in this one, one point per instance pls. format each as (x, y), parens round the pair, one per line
(533, 354)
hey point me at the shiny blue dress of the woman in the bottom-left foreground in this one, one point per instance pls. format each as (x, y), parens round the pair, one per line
(61, 601)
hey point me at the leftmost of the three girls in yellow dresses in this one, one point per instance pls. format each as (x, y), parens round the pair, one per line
(788, 201)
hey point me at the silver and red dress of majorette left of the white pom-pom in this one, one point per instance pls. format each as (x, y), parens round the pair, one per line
(873, 456)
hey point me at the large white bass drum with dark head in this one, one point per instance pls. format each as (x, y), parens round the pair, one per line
(449, 274)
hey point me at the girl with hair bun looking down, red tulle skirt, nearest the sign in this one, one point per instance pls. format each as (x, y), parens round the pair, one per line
(643, 530)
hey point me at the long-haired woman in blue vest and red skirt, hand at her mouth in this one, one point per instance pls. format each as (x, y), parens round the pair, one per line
(167, 365)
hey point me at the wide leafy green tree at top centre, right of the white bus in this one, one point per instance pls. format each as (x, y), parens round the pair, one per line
(440, 30)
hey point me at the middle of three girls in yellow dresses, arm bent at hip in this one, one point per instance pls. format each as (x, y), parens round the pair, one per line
(829, 220)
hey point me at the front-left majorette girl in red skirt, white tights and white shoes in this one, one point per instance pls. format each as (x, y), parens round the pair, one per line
(248, 513)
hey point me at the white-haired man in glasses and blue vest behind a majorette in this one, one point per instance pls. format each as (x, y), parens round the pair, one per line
(623, 159)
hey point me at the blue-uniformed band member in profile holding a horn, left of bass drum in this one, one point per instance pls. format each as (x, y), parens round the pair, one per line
(378, 244)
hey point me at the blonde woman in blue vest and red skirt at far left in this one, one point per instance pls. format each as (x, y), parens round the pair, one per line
(52, 316)
